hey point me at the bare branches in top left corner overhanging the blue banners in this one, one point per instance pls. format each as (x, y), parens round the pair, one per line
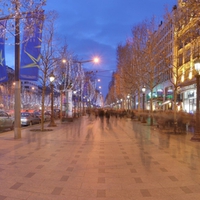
(16, 12)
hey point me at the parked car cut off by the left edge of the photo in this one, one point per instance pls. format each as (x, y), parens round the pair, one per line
(6, 121)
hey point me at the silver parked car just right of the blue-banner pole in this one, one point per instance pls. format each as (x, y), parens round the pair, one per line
(29, 119)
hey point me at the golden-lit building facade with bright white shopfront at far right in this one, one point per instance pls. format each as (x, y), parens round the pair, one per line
(187, 50)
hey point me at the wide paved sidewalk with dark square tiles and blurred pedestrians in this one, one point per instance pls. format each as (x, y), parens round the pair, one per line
(87, 160)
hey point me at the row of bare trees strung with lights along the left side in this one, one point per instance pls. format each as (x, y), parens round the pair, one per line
(53, 52)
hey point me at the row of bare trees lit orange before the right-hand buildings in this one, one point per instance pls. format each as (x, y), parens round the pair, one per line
(153, 58)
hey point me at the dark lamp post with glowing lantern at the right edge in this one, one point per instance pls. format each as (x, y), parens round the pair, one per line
(196, 136)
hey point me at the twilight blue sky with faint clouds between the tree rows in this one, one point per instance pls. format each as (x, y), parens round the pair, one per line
(96, 27)
